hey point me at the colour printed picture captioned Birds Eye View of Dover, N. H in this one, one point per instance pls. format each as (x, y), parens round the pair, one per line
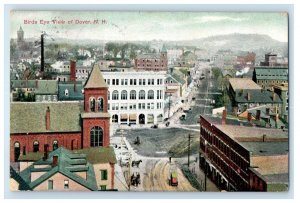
(149, 101)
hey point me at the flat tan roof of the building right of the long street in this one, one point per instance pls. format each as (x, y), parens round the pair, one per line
(243, 83)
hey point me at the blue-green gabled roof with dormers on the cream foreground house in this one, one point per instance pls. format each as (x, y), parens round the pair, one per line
(65, 166)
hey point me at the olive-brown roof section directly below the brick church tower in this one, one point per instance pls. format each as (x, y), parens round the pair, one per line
(98, 154)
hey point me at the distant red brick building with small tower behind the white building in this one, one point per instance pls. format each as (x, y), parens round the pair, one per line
(152, 61)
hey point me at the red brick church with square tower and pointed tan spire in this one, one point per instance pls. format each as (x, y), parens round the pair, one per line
(72, 125)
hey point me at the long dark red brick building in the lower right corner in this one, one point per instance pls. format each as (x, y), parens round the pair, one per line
(243, 158)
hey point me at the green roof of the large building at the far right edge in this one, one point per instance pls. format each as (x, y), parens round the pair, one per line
(271, 73)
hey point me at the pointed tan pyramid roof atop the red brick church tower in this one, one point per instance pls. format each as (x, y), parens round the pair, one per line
(95, 79)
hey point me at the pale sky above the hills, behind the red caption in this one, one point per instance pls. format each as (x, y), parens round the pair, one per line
(132, 26)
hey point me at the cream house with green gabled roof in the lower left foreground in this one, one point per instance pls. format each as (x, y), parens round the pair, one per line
(63, 170)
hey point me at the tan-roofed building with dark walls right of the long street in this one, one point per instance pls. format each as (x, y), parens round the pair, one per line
(245, 94)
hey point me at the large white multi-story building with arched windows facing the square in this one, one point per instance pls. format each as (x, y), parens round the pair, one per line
(135, 97)
